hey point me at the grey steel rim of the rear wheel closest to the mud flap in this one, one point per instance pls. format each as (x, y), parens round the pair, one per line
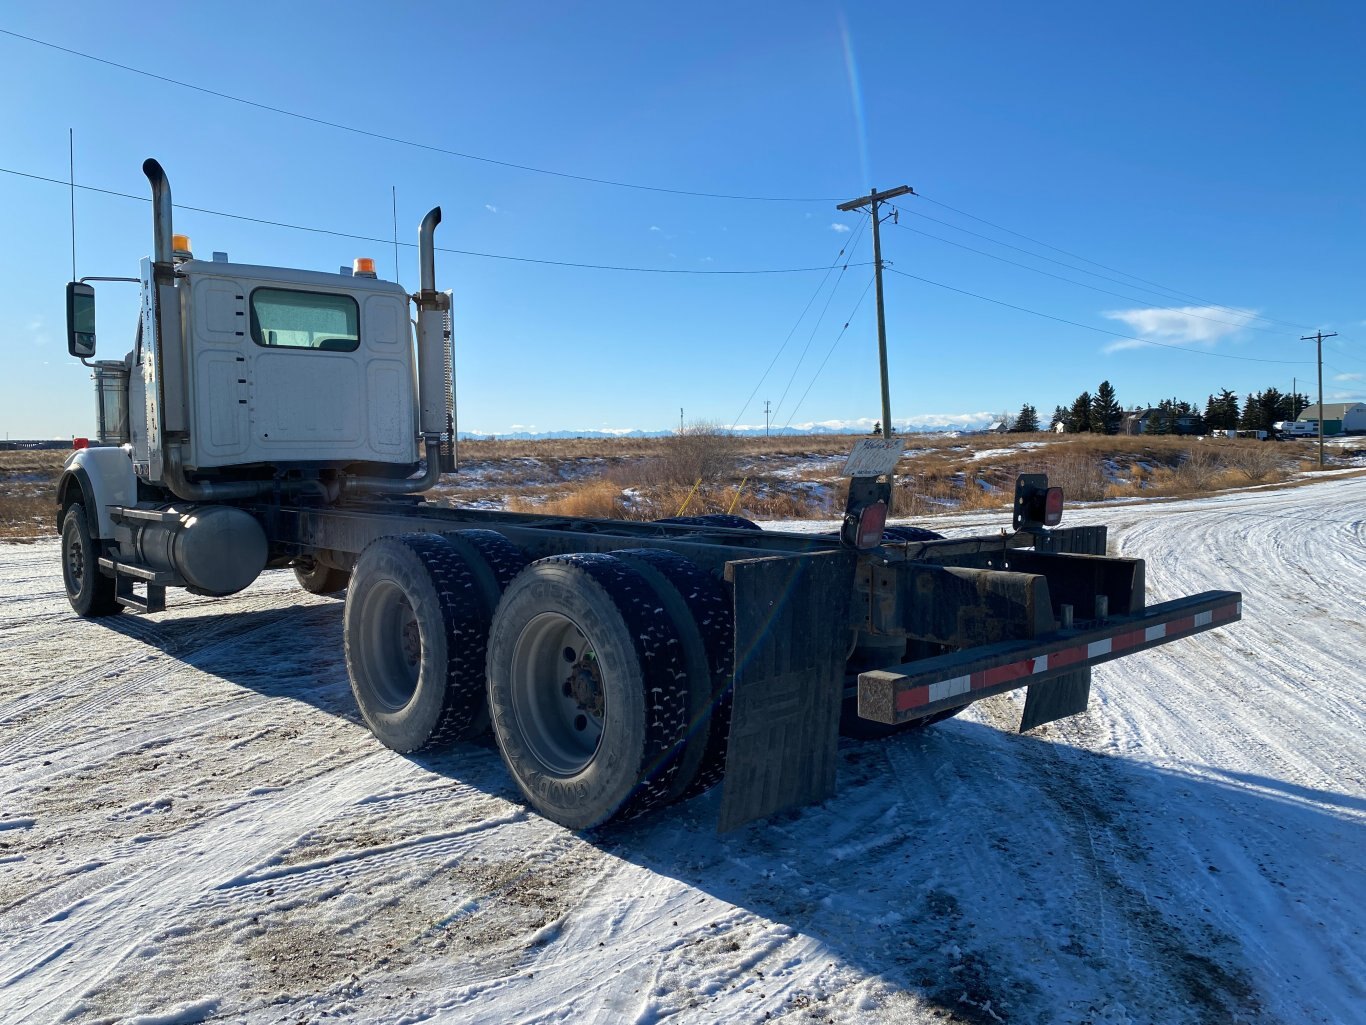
(558, 694)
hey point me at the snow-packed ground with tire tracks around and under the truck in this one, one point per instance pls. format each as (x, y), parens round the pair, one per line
(195, 826)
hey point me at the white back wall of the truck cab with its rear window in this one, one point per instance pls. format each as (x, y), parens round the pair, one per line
(296, 367)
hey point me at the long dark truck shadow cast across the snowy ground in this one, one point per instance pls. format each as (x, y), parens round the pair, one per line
(979, 874)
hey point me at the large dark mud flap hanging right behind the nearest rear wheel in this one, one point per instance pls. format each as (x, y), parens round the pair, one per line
(792, 639)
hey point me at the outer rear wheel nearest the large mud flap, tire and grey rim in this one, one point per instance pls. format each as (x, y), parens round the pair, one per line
(588, 689)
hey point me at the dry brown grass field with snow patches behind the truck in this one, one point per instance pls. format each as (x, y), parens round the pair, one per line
(783, 478)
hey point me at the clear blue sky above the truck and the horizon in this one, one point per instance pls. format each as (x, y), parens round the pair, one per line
(1212, 148)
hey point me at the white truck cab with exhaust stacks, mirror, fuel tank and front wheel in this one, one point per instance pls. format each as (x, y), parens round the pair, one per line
(247, 383)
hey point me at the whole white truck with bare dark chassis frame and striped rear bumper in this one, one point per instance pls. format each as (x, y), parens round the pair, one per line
(270, 419)
